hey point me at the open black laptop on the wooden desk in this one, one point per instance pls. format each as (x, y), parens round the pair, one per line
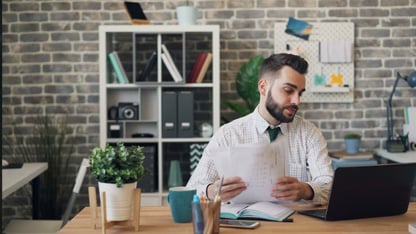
(368, 191)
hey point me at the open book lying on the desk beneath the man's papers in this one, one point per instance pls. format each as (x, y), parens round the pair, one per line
(260, 210)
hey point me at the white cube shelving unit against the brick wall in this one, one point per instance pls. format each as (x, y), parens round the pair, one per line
(134, 43)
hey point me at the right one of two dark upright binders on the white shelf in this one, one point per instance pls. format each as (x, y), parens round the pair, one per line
(185, 114)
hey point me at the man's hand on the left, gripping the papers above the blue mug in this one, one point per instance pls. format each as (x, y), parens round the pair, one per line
(231, 187)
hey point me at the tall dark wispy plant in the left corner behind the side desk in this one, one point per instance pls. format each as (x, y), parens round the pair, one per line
(48, 142)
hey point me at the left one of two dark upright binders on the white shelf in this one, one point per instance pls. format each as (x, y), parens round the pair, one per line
(169, 114)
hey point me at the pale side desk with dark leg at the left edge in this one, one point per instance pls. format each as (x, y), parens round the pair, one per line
(13, 179)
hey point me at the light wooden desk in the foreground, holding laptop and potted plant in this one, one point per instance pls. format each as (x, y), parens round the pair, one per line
(159, 220)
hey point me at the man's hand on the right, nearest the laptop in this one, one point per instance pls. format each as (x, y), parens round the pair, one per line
(290, 188)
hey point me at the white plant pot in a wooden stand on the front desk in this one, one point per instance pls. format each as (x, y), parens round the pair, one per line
(118, 200)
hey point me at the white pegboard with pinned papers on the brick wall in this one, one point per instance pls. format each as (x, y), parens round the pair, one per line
(326, 81)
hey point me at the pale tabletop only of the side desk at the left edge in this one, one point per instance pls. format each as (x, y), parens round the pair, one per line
(13, 179)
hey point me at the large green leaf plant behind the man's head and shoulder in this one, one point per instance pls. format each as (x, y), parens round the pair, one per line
(246, 86)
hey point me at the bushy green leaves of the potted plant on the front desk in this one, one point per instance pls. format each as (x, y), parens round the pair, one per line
(119, 164)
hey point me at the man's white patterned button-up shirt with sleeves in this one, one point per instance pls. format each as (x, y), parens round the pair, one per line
(308, 158)
